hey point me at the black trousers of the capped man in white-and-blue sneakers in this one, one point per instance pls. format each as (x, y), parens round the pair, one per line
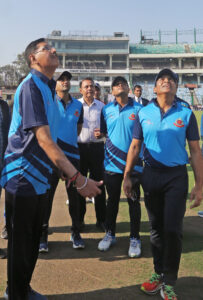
(113, 182)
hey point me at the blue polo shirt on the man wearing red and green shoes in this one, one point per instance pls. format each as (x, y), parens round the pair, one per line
(164, 134)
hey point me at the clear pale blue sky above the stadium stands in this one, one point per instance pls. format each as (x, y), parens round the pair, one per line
(22, 21)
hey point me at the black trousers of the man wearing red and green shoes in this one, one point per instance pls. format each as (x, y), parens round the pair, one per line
(165, 200)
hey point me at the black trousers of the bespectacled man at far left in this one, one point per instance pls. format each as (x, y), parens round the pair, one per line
(24, 218)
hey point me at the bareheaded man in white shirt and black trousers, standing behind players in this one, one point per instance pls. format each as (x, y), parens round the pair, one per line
(91, 148)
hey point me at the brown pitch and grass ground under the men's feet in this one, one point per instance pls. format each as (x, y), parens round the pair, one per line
(66, 274)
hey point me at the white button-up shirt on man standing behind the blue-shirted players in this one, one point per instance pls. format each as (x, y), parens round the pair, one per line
(91, 120)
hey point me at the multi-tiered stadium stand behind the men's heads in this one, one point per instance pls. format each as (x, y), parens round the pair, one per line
(105, 57)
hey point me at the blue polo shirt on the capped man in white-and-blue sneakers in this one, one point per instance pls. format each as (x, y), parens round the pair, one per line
(118, 123)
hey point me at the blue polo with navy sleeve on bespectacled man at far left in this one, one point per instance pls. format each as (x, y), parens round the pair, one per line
(27, 168)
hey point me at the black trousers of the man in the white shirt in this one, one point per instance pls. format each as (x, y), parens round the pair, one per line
(91, 160)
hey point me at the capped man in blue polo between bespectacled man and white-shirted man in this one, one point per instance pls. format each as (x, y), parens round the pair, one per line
(71, 118)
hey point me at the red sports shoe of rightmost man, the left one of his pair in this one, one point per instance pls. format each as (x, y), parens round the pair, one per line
(153, 285)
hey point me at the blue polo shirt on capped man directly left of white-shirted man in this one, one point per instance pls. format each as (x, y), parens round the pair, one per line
(70, 116)
